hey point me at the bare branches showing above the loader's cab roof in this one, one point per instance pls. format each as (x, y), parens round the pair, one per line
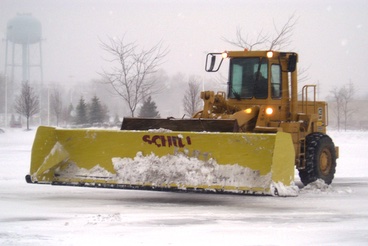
(279, 40)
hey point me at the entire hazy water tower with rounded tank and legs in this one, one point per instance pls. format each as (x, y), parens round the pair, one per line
(23, 33)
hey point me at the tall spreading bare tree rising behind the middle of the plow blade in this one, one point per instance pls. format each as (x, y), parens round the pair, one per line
(132, 72)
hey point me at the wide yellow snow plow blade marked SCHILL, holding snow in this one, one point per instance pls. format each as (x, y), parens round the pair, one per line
(164, 160)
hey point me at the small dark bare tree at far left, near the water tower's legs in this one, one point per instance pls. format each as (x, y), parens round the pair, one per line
(27, 103)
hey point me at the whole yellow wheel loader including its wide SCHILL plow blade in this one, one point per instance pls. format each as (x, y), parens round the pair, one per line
(249, 141)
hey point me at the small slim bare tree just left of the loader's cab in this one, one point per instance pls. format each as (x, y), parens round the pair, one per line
(192, 100)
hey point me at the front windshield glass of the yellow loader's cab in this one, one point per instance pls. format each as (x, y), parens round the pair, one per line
(248, 78)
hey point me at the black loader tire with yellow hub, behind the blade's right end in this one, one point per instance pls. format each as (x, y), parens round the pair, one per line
(320, 162)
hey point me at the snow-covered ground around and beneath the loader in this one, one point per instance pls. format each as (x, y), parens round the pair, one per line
(53, 215)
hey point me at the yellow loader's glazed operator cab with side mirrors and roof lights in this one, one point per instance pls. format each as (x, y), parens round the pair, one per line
(255, 75)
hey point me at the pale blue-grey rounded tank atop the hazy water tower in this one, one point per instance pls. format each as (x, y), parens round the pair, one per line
(24, 29)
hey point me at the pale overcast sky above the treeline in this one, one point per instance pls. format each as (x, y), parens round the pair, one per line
(331, 37)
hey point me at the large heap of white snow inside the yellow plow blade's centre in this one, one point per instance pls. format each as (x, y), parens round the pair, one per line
(183, 171)
